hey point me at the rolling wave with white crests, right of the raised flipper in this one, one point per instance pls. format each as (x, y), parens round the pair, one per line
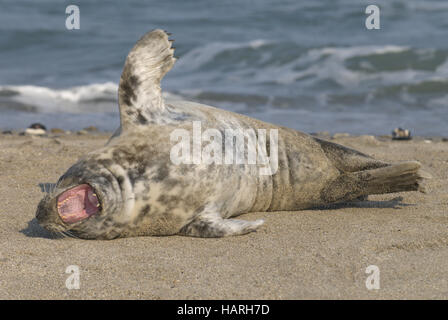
(262, 63)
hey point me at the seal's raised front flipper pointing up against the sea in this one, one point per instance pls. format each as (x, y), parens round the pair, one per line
(139, 93)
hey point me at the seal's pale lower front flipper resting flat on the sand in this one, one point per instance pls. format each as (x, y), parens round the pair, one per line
(213, 226)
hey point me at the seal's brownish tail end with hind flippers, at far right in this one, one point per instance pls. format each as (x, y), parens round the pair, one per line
(406, 176)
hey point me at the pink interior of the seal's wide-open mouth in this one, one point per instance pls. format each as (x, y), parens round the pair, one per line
(77, 204)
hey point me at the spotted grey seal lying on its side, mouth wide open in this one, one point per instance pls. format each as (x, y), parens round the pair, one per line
(131, 187)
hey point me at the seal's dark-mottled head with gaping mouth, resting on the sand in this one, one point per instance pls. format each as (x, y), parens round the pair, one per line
(84, 204)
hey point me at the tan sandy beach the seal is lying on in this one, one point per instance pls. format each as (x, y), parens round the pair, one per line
(310, 254)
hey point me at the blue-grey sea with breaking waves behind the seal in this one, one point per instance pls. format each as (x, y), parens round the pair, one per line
(309, 65)
